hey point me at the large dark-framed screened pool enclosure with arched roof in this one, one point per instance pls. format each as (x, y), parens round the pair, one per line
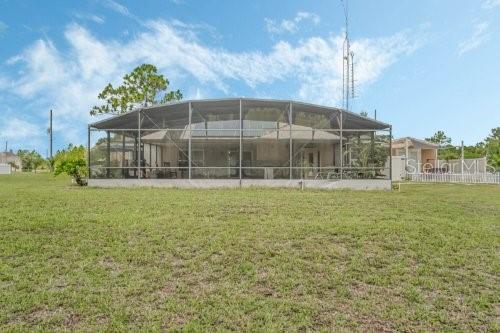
(239, 139)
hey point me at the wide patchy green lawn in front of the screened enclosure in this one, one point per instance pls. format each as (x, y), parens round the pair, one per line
(425, 258)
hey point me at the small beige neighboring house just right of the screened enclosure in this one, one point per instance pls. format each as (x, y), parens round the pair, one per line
(420, 156)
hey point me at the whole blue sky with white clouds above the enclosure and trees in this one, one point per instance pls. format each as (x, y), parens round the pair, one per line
(424, 65)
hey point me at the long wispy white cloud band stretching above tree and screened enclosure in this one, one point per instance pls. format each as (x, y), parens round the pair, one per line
(69, 81)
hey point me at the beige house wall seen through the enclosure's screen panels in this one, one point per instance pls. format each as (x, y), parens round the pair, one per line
(213, 156)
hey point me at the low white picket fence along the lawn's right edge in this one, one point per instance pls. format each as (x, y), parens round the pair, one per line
(479, 178)
